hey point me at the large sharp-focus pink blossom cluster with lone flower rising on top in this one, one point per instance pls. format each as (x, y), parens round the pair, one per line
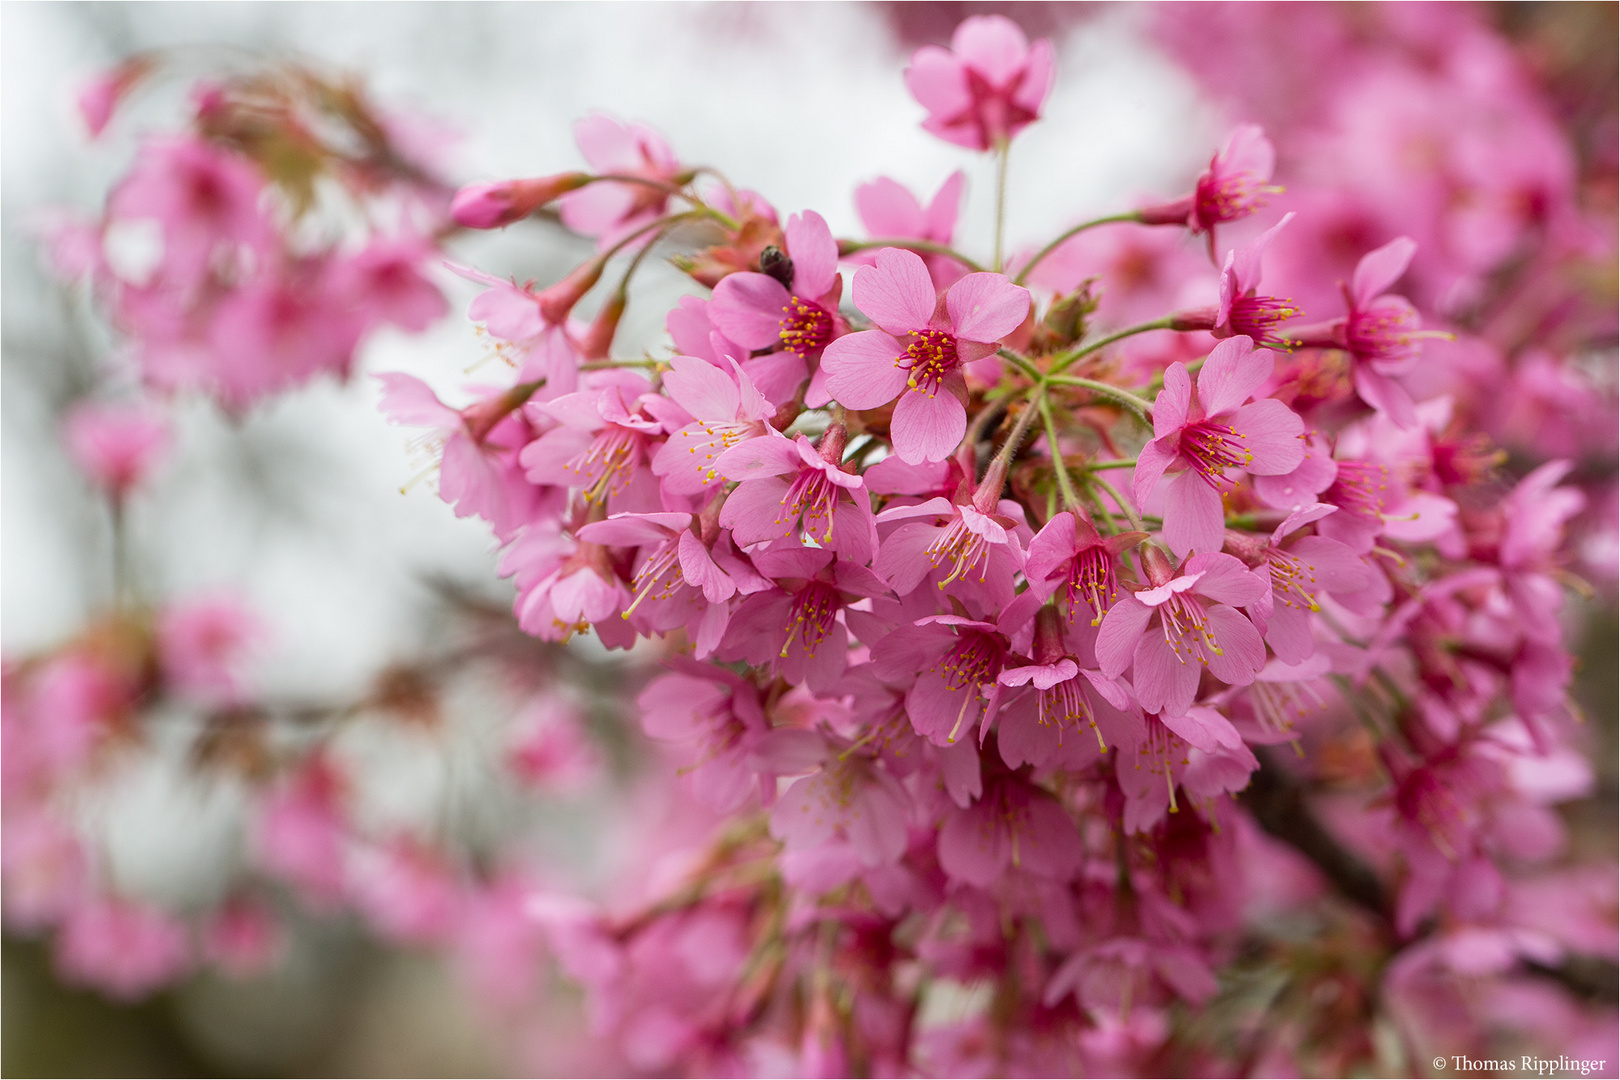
(984, 593)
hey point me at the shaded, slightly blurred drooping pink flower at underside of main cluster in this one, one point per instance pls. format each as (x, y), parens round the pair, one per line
(1015, 825)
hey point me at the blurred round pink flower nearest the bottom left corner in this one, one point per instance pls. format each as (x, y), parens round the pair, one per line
(122, 948)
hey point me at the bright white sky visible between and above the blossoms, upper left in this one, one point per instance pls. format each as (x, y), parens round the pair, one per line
(301, 508)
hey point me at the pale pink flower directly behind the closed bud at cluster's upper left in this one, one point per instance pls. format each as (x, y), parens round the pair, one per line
(612, 211)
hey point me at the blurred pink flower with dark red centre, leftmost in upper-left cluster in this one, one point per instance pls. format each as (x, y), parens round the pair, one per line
(205, 200)
